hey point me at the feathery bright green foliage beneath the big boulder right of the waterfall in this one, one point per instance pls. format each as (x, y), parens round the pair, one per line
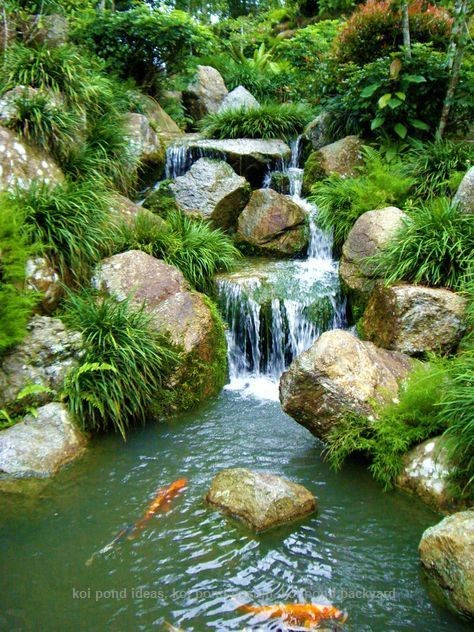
(398, 426)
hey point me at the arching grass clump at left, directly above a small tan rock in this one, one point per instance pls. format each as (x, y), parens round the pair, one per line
(70, 220)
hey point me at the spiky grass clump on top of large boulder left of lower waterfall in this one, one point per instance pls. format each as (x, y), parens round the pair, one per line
(192, 245)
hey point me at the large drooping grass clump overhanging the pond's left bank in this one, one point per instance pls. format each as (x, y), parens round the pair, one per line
(125, 367)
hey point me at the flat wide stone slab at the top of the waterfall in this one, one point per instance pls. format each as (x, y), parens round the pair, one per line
(250, 158)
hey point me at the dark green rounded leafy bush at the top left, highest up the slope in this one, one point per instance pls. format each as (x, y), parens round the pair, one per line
(143, 43)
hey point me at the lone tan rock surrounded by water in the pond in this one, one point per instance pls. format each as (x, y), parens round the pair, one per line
(260, 499)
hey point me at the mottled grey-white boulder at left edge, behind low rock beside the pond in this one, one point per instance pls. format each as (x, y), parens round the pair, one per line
(43, 359)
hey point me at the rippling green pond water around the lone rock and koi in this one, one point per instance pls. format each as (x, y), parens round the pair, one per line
(358, 552)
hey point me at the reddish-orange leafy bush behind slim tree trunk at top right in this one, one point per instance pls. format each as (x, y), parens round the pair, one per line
(375, 29)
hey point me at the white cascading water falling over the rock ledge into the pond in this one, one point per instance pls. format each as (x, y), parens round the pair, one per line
(275, 310)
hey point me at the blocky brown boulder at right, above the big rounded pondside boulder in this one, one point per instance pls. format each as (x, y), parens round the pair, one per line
(414, 319)
